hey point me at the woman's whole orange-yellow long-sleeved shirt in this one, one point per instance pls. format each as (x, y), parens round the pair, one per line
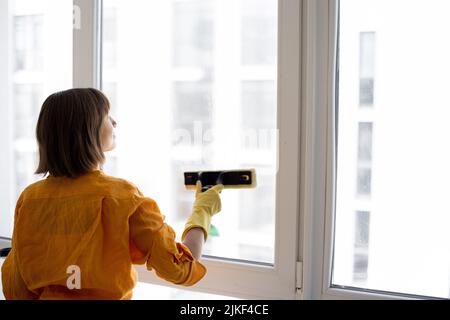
(100, 224)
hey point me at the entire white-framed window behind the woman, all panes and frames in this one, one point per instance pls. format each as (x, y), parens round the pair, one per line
(373, 163)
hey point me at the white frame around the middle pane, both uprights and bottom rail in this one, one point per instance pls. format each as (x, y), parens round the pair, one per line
(226, 277)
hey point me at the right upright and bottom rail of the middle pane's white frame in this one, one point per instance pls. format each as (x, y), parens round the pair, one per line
(250, 280)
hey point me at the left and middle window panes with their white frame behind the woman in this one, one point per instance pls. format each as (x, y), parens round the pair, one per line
(196, 69)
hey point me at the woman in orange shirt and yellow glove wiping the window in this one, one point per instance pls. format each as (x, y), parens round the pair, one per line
(78, 232)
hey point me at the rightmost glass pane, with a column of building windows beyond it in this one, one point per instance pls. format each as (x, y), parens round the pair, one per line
(392, 233)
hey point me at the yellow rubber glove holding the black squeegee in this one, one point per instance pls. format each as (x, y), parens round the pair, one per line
(206, 205)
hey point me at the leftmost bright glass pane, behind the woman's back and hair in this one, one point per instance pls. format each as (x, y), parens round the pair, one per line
(36, 60)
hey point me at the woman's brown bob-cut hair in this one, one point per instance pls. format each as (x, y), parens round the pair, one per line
(68, 132)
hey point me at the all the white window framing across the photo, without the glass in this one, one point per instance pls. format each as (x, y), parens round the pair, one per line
(306, 177)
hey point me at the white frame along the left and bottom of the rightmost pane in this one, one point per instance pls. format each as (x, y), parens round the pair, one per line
(317, 160)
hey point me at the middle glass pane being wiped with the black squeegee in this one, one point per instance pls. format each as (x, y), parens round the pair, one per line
(197, 91)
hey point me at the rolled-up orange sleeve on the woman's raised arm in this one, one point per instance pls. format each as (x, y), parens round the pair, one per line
(152, 241)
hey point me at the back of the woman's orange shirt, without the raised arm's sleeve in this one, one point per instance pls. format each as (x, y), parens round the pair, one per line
(83, 222)
